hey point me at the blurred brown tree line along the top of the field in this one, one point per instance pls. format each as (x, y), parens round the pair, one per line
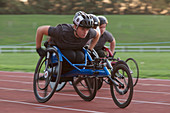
(90, 6)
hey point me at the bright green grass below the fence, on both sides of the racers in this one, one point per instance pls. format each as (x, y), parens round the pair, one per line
(151, 65)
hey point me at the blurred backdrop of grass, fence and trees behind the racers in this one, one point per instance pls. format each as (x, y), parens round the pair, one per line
(141, 29)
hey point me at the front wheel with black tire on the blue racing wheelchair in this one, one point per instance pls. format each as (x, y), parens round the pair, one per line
(122, 94)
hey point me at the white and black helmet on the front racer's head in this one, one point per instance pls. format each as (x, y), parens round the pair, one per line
(82, 19)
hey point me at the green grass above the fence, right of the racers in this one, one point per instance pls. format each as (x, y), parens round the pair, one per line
(140, 28)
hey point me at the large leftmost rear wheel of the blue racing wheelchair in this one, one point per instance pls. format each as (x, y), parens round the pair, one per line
(51, 73)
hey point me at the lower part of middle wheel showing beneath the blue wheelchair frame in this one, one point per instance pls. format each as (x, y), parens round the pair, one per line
(86, 87)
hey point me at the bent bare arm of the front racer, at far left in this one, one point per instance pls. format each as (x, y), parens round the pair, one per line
(41, 31)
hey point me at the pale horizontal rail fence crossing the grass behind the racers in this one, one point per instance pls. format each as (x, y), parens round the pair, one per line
(14, 49)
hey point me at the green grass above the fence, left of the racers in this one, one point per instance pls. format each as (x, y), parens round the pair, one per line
(19, 29)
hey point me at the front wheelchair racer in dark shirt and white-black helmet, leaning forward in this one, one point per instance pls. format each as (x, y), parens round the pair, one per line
(69, 38)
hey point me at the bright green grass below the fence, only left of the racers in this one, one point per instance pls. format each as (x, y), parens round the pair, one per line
(24, 62)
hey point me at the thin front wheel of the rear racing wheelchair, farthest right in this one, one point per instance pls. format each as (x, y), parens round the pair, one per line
(134, 70)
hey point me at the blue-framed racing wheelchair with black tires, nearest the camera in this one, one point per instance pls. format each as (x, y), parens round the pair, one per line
(83, 77)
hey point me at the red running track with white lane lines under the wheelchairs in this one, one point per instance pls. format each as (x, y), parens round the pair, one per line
(16, 96)
